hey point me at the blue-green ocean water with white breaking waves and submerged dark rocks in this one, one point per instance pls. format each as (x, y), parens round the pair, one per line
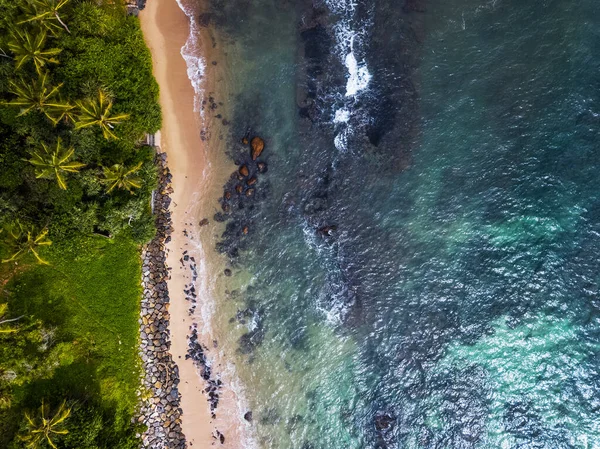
(421, 265)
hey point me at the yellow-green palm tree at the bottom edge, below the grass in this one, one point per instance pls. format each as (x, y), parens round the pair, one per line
(43, 429)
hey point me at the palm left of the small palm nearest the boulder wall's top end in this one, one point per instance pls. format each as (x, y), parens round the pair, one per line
(53, 163)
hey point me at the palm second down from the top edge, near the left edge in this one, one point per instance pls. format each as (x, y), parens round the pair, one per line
(27, 47)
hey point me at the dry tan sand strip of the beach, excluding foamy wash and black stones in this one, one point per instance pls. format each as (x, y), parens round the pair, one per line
(166, 28)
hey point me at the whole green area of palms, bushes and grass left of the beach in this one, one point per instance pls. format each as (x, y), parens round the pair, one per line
(77, 97)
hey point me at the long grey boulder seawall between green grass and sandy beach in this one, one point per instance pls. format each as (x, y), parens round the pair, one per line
(159, 409)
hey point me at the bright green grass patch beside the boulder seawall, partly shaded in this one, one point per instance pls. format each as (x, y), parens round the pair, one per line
(90, 295)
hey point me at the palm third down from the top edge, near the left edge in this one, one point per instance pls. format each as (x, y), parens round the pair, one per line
(38, 95)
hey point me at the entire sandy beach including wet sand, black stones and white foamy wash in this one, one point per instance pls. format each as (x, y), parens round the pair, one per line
(199, 168)
